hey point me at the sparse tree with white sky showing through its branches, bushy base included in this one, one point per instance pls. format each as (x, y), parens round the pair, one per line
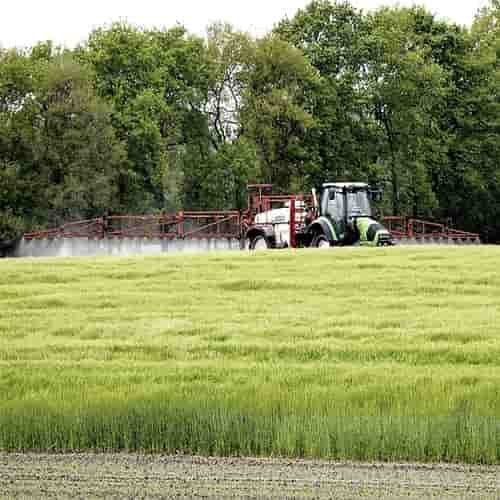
(218, 161)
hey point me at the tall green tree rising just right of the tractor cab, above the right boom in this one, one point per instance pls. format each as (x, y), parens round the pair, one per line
(407, 89)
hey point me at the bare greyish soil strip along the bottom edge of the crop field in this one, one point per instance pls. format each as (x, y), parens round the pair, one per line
(152, 476)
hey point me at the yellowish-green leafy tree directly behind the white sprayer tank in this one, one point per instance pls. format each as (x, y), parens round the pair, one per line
(276, 113)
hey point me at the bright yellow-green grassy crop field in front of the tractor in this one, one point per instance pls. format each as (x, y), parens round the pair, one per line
(390, 354)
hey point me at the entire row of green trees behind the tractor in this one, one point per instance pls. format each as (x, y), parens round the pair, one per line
(142, 120)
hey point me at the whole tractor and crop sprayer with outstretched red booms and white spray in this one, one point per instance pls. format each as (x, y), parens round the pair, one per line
(338, 214)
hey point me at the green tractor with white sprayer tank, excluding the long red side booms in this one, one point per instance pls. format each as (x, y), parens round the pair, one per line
(341, 216)
